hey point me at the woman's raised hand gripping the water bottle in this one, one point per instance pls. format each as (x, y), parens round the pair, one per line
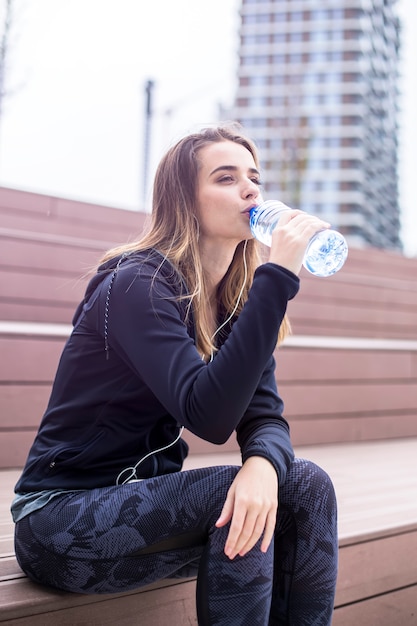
(291, 237)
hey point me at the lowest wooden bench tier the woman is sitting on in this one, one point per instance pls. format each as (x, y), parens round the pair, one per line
(377, 581)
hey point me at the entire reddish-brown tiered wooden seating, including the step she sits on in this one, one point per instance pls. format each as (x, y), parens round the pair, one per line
(348, 374)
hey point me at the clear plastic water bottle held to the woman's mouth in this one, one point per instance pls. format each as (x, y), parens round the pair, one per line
(326, 252)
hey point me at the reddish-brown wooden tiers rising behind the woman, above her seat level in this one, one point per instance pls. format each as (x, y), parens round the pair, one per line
(347, 374)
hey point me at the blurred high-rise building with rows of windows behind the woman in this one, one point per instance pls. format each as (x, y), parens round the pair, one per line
(318, 94)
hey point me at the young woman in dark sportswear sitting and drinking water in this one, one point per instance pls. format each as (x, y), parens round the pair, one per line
(178, 330)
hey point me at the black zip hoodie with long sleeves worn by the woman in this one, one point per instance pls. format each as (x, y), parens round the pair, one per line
(130, 376)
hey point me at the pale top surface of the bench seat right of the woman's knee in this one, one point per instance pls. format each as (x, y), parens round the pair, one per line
(375, 482)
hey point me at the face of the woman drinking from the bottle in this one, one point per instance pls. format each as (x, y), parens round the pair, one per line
(228, 187)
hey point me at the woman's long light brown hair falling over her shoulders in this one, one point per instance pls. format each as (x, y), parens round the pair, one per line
(174, 231)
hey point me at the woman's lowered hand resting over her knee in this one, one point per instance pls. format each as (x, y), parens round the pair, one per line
(251, 506)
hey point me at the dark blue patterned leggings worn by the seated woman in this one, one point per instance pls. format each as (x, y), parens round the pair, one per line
(119, 538)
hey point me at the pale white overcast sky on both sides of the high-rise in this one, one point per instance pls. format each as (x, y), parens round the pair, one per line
(73, 118)
